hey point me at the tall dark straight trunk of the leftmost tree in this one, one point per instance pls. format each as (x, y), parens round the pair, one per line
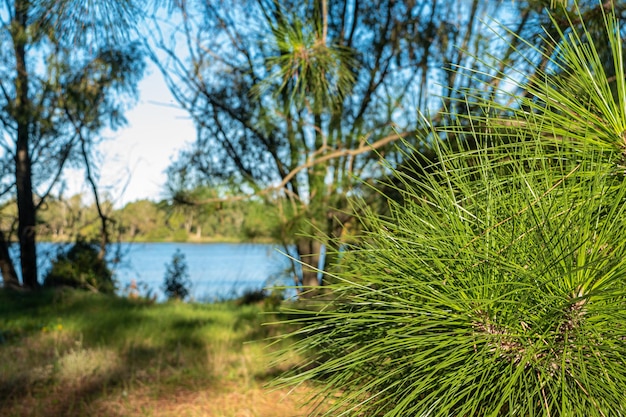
(23, 174)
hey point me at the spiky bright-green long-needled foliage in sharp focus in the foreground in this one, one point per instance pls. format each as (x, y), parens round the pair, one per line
(497, 286)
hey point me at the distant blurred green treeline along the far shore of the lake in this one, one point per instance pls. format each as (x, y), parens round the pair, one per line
(63, 220)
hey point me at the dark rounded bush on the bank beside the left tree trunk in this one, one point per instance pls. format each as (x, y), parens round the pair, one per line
(80, 267)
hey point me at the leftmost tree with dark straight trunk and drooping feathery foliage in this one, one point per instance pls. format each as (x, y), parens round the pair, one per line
(61, 84)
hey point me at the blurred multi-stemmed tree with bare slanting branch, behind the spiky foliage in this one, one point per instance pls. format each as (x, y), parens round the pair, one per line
(292, 100)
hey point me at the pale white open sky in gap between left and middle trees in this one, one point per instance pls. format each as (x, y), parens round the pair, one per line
(133, 158)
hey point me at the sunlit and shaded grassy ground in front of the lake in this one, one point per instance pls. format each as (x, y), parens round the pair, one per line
(79, 354)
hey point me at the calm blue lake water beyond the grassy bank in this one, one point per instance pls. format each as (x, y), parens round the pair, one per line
(216, 270)
